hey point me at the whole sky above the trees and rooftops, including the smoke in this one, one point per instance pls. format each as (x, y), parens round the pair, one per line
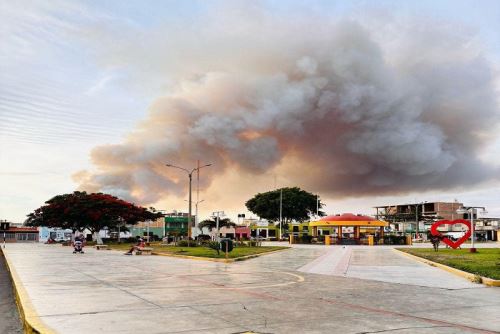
(363, 104)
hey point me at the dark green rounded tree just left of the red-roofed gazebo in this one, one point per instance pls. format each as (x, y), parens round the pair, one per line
(297, 205)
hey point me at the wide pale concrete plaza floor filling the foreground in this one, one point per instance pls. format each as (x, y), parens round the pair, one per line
(107, 292)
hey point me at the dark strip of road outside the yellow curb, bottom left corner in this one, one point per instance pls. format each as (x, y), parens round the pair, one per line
(9, 317)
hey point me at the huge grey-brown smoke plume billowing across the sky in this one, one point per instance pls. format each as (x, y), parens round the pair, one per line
(344, 108)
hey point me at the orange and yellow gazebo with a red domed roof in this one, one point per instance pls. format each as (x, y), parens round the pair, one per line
(368, 226)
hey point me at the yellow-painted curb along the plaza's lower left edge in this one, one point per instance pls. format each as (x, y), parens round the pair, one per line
(32, 323)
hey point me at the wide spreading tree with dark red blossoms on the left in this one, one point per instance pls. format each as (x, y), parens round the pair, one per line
(79, 211)
